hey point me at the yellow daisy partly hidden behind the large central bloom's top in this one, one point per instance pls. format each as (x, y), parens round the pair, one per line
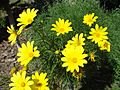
(76, 41)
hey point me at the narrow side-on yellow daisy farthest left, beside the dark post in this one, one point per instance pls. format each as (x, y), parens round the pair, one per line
(13, 34)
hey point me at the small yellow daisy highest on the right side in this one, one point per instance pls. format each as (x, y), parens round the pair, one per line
(89, 19)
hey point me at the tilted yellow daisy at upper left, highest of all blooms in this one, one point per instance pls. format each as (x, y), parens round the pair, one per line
(27, 17)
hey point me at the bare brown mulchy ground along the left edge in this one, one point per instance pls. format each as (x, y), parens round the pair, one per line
(7, 60)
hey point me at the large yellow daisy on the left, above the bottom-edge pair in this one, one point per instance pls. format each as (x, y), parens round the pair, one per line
(26, 53)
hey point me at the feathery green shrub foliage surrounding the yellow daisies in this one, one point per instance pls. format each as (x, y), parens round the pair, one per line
(99, 74)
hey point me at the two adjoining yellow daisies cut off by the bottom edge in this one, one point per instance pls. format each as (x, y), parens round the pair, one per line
(22, 82)
